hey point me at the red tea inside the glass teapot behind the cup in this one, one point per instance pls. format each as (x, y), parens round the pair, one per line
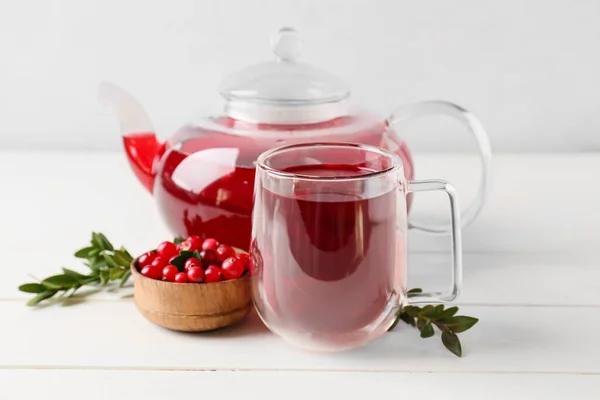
(204, 183)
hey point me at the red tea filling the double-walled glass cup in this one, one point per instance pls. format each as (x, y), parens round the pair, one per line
(336, 253)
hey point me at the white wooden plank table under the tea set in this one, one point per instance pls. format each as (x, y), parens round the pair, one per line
(532, 276)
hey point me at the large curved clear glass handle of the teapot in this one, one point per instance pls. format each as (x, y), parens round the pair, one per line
(434, 107)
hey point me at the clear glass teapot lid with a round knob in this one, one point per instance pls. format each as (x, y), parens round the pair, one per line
(284, 90)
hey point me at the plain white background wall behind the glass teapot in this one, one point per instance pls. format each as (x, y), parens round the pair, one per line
(530, 69)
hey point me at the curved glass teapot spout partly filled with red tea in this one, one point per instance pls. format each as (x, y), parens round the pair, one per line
(139, 138)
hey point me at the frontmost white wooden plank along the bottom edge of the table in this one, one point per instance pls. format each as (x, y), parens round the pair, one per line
(119, 384)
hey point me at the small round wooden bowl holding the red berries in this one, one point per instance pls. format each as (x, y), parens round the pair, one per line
(191, 307)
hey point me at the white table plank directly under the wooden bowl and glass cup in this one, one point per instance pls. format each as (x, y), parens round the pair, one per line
(113, 334)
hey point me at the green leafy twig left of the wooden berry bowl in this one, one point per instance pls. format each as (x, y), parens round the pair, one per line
(105, 263)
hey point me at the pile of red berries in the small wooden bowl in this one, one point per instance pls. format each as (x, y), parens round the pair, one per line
(193, 260)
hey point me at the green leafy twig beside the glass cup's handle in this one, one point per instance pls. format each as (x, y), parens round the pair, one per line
(444, 319)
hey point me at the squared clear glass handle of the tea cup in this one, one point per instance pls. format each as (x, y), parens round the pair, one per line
(439, 297)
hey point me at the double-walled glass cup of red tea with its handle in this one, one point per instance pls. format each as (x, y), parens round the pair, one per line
(328, 250)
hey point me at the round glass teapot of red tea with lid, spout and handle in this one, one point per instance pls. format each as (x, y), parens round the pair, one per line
(203, 176)
